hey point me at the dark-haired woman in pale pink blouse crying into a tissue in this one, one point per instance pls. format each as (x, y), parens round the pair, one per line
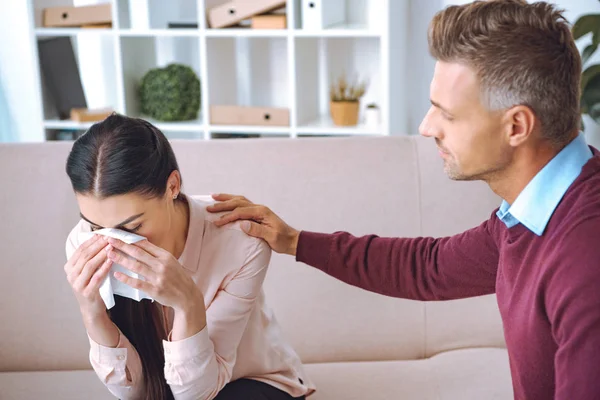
(208, 334)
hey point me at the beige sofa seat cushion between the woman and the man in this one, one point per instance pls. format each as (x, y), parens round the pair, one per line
(470, 374)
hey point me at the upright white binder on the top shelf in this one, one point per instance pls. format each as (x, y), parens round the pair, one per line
(322, 14)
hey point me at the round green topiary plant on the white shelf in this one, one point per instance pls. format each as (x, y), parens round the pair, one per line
(171, 93)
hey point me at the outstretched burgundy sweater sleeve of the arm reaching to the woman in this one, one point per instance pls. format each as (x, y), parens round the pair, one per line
(423, 268)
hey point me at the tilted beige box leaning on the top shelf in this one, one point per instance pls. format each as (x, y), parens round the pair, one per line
(235, 11)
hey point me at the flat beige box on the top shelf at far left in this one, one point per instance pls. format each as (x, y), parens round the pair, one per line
(77, 16)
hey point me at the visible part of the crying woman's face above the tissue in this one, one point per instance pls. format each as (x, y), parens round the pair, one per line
(151, 218)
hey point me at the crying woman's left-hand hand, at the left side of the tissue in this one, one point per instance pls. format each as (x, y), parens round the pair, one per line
(86, 270)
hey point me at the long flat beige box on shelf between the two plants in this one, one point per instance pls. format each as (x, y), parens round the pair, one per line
(243, 115)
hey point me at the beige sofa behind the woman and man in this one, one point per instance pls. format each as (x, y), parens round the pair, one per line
(357, 345)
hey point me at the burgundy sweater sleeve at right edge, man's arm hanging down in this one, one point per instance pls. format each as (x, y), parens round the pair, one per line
(572, 301)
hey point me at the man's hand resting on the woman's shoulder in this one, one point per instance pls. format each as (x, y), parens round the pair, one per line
(260, 222)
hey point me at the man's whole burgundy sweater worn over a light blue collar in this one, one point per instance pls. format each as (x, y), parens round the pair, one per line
(548, 287)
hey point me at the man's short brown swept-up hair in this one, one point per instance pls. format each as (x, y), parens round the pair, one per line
(523, 54)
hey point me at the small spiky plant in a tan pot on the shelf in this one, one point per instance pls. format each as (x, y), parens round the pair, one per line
(345, 100)
